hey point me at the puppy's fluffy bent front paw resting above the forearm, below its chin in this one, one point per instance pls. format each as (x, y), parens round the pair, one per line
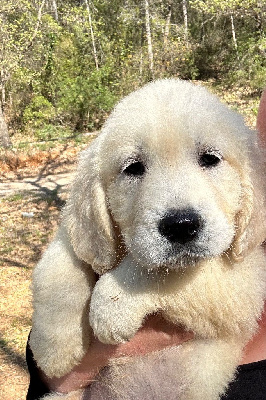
(120, 301)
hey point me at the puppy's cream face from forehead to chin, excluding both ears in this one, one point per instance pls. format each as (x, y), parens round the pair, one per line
(174, 186)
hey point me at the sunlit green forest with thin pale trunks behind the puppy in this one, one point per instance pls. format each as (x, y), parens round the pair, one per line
(65, 63)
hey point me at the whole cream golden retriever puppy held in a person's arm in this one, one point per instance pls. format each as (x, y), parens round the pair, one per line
(167, 208)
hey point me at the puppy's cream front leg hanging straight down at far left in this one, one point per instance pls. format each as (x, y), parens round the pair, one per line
(62, 286)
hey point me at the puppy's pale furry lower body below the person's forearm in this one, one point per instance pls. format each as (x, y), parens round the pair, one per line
(196, 370)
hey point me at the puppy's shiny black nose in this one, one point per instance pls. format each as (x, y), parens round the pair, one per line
(180, 226)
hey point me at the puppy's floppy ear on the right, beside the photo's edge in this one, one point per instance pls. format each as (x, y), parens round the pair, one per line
(250, 221)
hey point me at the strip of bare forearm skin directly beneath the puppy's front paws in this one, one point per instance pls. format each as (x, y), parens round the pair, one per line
(156, 334)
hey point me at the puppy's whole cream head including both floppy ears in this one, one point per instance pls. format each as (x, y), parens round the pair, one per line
(171, 170)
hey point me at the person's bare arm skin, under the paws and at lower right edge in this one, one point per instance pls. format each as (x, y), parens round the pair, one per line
(156, 334)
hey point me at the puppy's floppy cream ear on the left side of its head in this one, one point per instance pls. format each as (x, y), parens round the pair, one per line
(86, 215)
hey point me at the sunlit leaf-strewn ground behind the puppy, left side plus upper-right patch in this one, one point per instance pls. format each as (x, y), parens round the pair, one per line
(32, 192)
